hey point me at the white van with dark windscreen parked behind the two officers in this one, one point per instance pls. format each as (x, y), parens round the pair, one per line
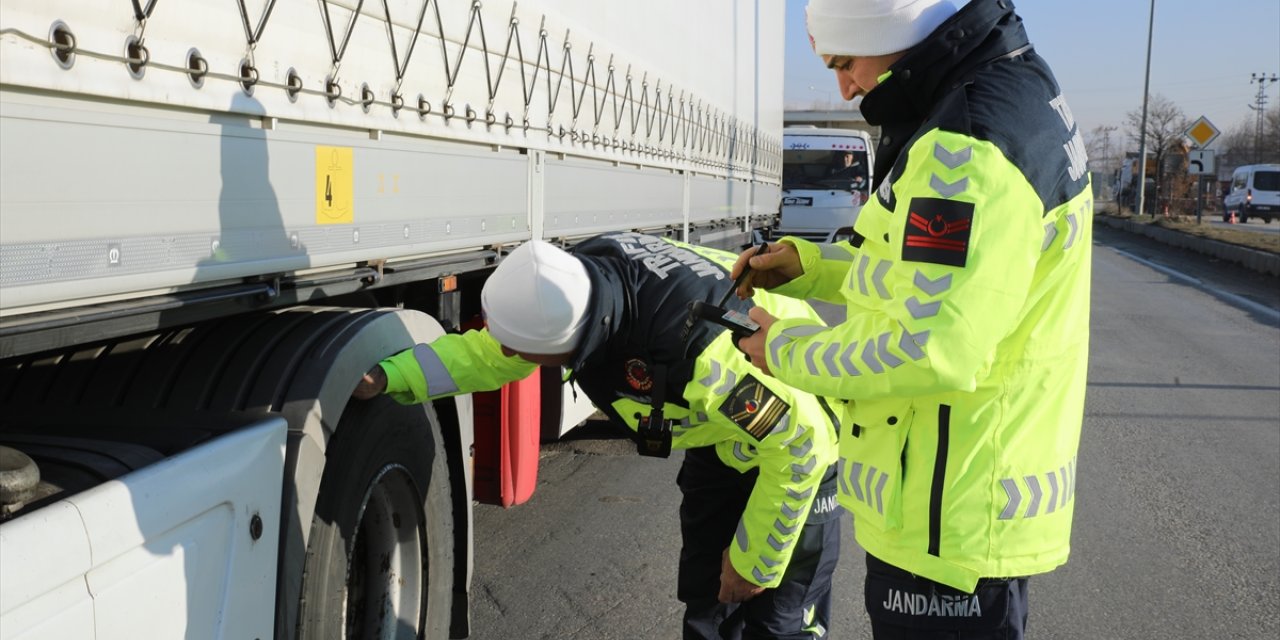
(826, 180)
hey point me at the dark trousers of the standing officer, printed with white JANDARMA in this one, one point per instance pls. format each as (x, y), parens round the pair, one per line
(907, 607)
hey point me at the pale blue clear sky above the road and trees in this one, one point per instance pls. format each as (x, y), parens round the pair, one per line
(1203, 56)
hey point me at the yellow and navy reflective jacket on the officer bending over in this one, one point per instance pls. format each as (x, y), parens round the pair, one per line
(753, 420)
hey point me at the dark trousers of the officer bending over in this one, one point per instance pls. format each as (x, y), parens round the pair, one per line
(715, 497)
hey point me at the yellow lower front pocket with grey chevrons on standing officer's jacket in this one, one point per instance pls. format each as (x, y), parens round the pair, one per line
(871, 472)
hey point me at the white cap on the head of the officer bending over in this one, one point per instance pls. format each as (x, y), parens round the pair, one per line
(536, 301)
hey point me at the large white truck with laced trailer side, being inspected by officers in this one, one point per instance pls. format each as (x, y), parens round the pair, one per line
(216, 216)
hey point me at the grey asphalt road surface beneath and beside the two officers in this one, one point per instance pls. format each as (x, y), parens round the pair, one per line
(1177, 525)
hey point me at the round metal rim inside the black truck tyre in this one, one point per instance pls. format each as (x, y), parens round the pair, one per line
(387, 577)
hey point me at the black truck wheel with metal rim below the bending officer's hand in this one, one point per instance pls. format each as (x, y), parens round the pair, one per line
(380, 560)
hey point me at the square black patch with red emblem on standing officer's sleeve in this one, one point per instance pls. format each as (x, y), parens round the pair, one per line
(938, 231)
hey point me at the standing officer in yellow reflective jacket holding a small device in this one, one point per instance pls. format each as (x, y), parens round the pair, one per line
(962, 363)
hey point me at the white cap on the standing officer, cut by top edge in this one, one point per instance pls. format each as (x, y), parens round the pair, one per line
(874, 28)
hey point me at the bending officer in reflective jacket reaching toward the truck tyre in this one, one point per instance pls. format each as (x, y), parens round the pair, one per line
(760, 519)
